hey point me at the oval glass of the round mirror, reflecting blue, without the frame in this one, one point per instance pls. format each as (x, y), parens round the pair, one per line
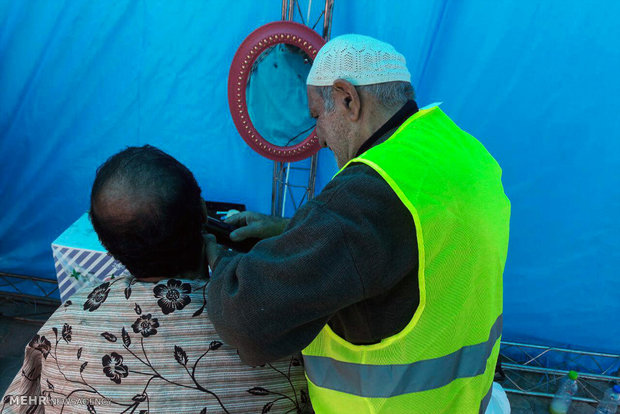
(276, 95)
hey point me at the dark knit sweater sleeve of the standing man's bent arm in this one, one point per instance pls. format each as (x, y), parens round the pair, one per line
(336, 251)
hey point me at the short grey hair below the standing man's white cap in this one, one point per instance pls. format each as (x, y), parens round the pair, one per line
(391, 95)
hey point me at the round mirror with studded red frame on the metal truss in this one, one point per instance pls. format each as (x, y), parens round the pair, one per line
(267, 90)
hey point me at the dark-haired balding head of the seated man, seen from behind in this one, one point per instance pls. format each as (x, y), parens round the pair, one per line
(147, 211)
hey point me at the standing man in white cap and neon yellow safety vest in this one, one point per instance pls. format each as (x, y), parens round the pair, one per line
(390, 280)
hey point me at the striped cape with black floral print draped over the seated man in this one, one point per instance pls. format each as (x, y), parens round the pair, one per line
(136, 347)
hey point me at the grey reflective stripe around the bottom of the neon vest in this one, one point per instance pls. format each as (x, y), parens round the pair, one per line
(383, 381)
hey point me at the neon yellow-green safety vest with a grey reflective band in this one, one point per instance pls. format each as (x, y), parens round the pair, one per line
(444, 360)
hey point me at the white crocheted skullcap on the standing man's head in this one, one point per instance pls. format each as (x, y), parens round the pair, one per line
(361, 60)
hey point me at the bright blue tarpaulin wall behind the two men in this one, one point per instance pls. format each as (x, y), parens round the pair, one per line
(536, 82)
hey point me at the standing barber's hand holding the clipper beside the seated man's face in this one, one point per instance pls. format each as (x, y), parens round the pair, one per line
(256, 225)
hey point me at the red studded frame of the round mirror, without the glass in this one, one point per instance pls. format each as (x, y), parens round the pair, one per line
(291, 33)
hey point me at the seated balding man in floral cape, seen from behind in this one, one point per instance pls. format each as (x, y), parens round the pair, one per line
(144, 343)
